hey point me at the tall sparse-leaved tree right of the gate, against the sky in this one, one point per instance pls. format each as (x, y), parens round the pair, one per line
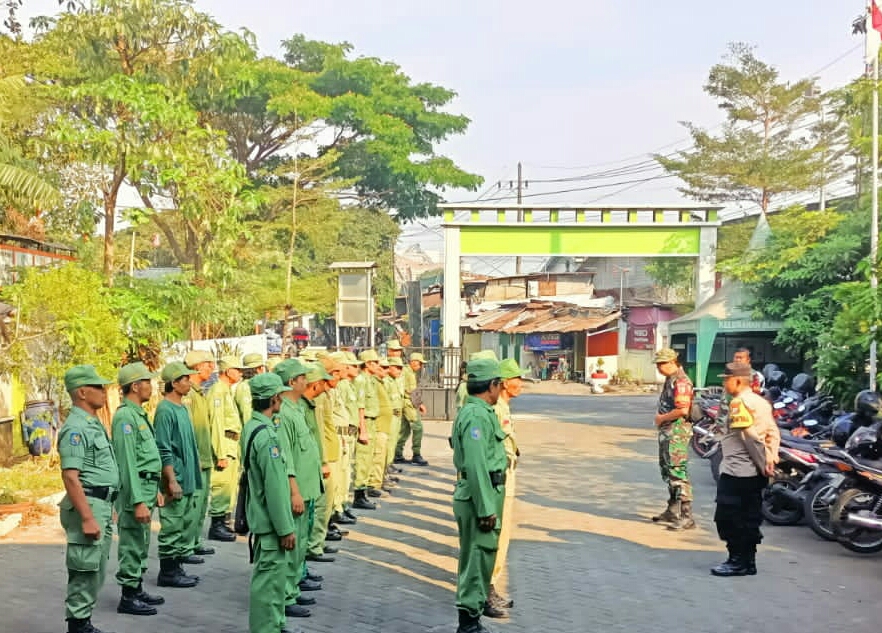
(762, 151)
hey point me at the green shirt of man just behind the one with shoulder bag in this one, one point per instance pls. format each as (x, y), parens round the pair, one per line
(302, 457)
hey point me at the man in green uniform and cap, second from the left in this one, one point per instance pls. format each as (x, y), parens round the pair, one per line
(140, 466)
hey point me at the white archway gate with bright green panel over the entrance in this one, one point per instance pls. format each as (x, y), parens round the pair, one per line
(482, 230)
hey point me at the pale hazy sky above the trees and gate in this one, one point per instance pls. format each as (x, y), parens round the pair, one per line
(567, 87)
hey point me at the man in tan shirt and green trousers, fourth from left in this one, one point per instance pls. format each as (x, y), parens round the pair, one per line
(196, 402)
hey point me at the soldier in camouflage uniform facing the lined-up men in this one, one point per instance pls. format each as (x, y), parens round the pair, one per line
(674, 435)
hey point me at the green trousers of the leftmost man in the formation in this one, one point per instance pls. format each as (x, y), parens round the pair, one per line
(86, 559)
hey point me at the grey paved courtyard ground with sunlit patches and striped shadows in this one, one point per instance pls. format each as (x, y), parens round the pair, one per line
(585, 555)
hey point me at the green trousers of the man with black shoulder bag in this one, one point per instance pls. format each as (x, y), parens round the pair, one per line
(266, 607)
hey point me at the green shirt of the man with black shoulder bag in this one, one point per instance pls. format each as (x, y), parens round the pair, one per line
(269, 494)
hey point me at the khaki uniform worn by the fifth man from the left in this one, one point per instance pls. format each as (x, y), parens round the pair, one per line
(226, 428)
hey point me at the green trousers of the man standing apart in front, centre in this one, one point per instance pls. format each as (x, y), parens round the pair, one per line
(477, 556)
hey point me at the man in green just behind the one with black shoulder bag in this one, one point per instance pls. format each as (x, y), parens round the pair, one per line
(304, 469)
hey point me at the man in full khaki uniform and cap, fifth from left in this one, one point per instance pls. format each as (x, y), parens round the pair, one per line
(226, 427)
